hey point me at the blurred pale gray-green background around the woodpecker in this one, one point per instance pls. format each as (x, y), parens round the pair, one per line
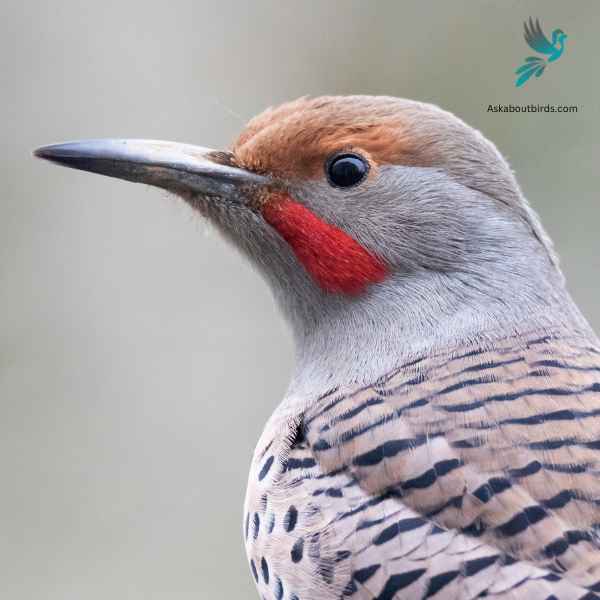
(139, 356)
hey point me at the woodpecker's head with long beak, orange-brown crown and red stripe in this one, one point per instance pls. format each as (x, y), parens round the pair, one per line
(350, 204)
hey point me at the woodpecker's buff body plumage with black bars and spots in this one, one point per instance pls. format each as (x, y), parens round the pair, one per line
(472, 472)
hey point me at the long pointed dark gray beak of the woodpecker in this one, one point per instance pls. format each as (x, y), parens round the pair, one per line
(169, 165)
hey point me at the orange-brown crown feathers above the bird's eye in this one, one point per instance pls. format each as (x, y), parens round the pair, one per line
(295, 139)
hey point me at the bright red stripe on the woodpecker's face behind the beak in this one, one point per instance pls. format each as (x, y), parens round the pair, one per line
(336, 261)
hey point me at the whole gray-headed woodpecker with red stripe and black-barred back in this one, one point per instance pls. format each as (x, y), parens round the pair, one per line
(440, 435)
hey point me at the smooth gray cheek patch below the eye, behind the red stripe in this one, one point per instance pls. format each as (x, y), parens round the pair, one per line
(415, 218)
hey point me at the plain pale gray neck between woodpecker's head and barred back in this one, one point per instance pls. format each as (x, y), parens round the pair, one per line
(348, 342)
